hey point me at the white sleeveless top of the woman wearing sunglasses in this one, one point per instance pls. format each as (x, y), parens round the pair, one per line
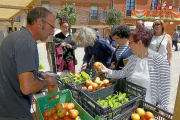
(155, 42)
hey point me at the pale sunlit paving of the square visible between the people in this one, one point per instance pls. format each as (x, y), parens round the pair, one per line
(175, 69)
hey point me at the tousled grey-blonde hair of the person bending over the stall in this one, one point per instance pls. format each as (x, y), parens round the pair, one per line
(85, 37)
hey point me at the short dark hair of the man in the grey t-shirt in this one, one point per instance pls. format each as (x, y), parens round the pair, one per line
(36, 13)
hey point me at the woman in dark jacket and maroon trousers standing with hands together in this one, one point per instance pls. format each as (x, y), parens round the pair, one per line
(68, 46)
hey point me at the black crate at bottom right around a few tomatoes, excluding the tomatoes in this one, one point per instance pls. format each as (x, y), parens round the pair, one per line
(159, 114)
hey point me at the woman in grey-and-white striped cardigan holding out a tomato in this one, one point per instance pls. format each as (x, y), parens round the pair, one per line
(146, 68)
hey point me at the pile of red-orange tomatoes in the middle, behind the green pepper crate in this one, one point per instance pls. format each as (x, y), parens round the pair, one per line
(96, 85)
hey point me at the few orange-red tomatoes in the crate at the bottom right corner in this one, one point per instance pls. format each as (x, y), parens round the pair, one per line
(142, 115)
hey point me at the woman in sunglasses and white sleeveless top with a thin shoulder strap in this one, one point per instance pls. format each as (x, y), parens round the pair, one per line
(161, 42)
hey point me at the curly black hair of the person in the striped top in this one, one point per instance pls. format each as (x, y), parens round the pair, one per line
(122, 31)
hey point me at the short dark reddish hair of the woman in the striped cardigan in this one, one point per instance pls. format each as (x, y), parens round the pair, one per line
(143, 34)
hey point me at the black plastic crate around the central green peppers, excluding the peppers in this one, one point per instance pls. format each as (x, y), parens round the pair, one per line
(91, 106)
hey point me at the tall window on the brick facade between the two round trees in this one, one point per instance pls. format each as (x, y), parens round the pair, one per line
(94, 11)
